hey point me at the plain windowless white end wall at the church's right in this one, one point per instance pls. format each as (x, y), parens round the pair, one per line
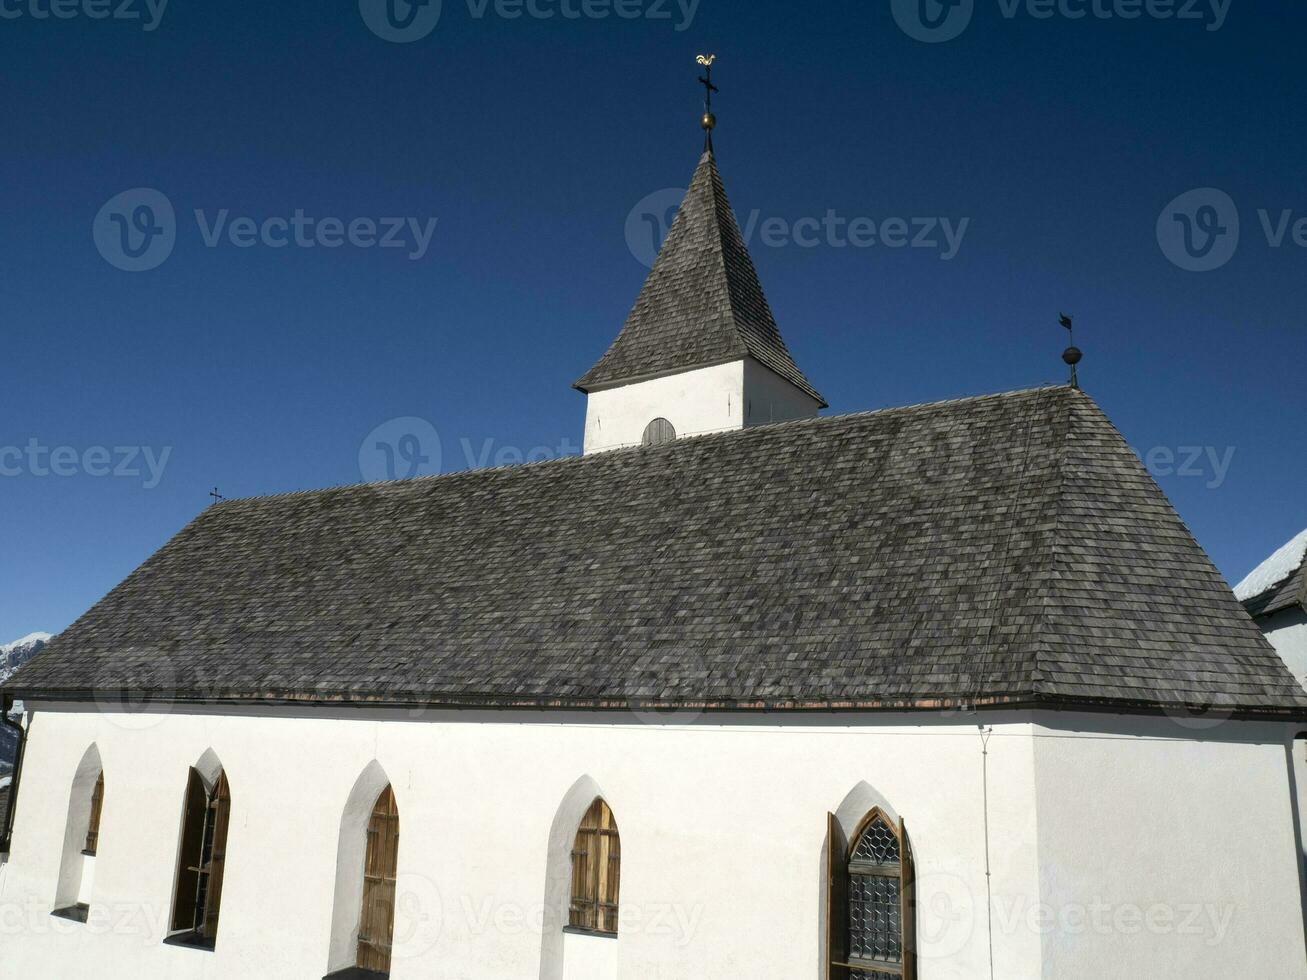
(1166, 849)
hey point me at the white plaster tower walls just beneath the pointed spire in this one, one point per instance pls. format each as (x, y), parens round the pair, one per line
(696, 403)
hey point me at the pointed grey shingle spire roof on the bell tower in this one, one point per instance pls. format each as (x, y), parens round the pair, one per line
(703, 304)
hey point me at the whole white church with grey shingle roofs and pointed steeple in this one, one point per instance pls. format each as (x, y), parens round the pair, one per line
(939, 693)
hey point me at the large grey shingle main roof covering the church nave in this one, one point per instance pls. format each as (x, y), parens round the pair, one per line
(999, 551)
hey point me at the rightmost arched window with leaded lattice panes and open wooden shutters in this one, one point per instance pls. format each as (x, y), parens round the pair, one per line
(870, 924)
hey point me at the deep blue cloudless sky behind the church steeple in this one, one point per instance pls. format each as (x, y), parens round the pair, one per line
(1061, 142)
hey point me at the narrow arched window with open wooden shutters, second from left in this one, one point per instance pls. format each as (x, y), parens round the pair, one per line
(202, 862)
